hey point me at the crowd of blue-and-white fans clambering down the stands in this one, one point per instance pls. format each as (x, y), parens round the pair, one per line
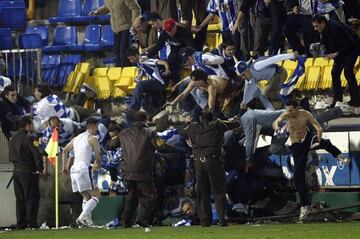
(223, 81)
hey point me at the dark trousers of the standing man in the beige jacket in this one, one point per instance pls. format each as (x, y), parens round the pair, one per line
(122, 43)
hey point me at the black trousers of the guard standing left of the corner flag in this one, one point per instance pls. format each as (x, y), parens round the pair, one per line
(27, 194)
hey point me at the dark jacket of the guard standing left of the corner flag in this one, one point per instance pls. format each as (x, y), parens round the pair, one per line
(24, 152)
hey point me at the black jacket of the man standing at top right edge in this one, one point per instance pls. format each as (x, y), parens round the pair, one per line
(338, 37)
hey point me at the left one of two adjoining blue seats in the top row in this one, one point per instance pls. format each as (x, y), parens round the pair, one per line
(68, 9)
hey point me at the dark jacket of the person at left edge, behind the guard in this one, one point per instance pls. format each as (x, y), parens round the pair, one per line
(10, 112)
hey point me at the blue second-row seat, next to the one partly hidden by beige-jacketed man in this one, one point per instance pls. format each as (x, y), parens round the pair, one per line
(91, 41)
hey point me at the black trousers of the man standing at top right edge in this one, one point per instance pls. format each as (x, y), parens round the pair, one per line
(347, 63)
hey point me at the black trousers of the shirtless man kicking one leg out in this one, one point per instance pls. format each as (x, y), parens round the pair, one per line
(300, 152)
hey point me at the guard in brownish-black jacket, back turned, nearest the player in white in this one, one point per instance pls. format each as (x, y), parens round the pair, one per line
(139, 143)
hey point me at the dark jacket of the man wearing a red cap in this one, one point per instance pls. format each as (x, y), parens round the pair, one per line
(182, 38)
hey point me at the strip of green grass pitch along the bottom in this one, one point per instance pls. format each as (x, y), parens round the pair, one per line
(256, 231)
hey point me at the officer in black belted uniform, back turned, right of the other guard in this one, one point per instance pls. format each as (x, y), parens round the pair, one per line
(207, 138)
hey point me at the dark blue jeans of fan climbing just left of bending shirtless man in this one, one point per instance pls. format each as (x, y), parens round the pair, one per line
(147, 93)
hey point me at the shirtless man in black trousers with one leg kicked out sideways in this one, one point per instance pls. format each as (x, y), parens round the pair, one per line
(302, 140)
